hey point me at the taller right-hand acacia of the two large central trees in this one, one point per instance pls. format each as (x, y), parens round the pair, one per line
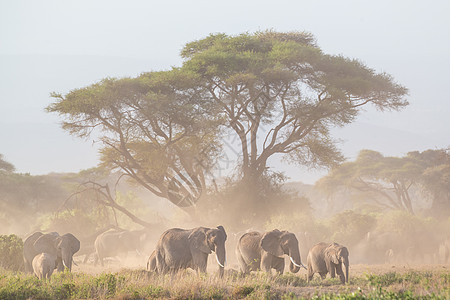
(280, 94)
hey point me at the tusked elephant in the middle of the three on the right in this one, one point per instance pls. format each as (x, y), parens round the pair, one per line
(257, 251)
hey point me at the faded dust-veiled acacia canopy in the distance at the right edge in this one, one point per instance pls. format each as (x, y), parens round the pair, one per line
(388, 180)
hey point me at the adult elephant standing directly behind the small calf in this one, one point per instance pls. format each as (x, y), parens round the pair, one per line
(62, 247)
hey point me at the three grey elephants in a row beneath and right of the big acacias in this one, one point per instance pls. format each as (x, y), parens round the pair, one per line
(181, 249)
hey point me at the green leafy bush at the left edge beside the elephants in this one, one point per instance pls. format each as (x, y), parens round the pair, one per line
(11, 252)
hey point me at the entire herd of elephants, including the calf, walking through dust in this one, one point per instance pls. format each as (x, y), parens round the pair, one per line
(179, 249)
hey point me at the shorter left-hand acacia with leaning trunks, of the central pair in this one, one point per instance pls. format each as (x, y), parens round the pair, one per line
(154, 128)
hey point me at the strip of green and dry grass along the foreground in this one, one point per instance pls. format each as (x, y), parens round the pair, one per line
(140, 284)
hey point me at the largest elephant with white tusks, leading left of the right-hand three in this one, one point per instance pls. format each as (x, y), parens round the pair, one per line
(189, 248)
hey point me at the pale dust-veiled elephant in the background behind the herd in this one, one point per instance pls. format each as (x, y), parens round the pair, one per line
(112, 243)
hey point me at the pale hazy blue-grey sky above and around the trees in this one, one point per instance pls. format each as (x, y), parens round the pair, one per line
(60, 45)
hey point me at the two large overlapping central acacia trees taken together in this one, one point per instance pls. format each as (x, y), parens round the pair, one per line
(277, 92)
